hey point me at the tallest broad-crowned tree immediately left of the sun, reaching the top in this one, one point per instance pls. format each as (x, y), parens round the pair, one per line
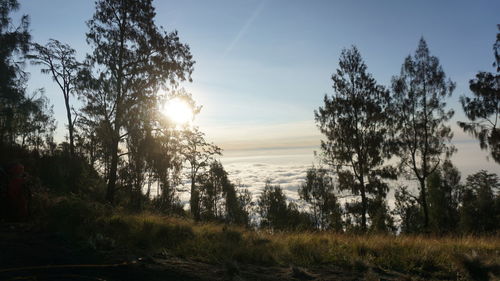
(133, 58)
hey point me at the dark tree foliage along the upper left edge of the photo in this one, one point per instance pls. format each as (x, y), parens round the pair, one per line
(24, 120)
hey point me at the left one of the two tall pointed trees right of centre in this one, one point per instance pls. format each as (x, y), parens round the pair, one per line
(356, 126)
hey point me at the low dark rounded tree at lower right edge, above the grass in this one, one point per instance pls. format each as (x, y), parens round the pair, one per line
(479, 212)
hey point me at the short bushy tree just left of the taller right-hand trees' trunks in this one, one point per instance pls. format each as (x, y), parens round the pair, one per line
(318, 192)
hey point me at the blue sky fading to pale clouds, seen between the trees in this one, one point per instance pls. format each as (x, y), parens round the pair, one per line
(263, 66)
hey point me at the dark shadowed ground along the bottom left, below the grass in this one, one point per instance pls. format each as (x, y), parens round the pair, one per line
(28, 253)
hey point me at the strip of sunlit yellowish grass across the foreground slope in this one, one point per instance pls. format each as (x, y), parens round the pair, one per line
(111, 230)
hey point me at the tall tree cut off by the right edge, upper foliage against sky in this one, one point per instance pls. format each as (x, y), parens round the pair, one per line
(483, 110)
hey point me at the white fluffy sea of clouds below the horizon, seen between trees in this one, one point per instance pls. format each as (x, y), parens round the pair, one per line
(287, 168)
